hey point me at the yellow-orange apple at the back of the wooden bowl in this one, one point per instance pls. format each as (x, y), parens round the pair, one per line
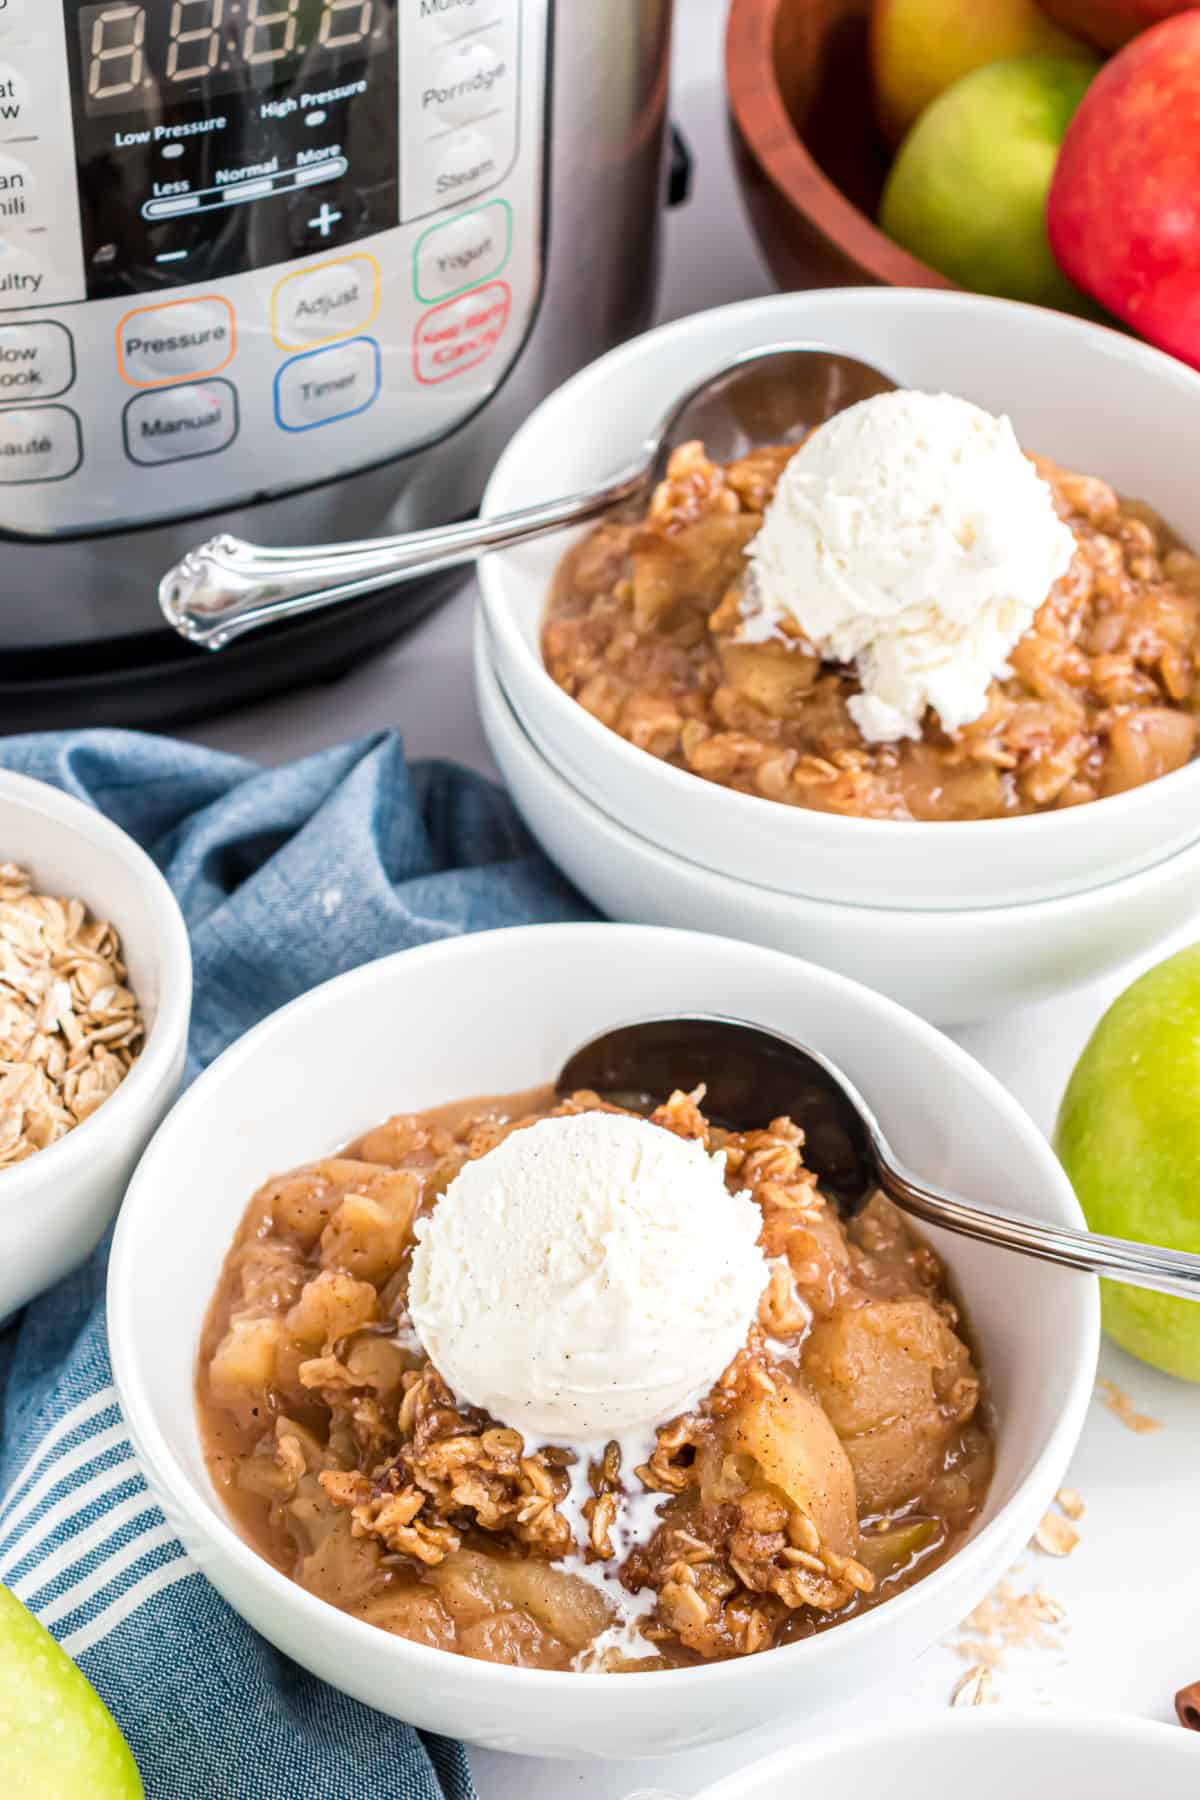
(922, 48)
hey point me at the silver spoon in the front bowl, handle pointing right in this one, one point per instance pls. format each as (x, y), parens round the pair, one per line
(753, 1077)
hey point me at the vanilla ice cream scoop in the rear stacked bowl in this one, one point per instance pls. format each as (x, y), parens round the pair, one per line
(911, 537)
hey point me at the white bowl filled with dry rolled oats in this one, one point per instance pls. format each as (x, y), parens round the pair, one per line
(94, 1007)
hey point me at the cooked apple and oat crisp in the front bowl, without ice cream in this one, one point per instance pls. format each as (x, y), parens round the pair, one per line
(839, 1457)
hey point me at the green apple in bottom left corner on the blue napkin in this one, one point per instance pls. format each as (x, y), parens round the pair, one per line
(57, 1738)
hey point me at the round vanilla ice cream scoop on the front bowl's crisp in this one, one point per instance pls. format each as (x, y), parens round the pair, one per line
(589, 1277)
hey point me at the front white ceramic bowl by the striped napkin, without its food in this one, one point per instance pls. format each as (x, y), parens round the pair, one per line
(497, 1014)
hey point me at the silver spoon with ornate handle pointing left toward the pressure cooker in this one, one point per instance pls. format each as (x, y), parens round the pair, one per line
(778, 395)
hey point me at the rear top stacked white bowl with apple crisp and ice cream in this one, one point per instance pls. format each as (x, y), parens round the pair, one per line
(933, 652)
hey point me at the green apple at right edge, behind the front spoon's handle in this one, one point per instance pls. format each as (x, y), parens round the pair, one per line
(1129, 1137)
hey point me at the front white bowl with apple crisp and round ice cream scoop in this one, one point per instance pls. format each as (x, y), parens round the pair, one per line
(580, 1425)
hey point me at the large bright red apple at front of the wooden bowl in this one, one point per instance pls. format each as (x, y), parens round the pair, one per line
(1124, 213)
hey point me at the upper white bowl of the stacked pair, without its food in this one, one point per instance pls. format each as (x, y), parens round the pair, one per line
(1080, 393)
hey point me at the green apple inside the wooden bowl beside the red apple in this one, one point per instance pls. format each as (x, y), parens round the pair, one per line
(967, 192)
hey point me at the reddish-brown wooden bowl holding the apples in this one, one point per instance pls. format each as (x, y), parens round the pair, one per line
(810, 154)
